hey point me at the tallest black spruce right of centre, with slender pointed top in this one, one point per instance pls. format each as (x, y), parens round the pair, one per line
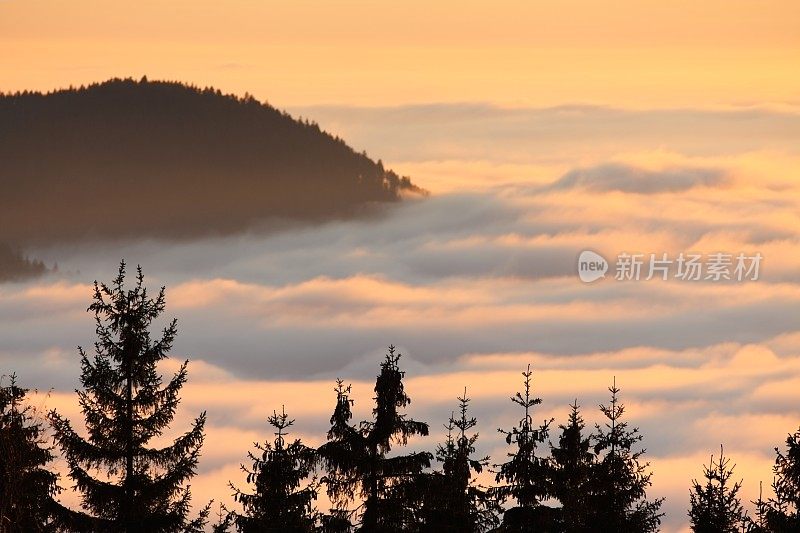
(524, 477)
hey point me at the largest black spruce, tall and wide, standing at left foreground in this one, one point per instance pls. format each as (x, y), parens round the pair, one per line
(127, 485)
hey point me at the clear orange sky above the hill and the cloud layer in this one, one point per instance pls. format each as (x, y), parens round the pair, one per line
(631, 53)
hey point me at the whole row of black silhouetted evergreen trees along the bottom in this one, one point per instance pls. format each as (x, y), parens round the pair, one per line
(577, 482)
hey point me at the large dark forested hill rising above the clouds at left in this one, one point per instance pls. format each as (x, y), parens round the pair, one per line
(130, 158)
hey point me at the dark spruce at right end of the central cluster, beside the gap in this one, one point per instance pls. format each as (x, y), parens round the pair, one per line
(619, 481)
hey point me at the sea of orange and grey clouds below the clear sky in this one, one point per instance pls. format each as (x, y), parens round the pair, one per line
(479, 280)
